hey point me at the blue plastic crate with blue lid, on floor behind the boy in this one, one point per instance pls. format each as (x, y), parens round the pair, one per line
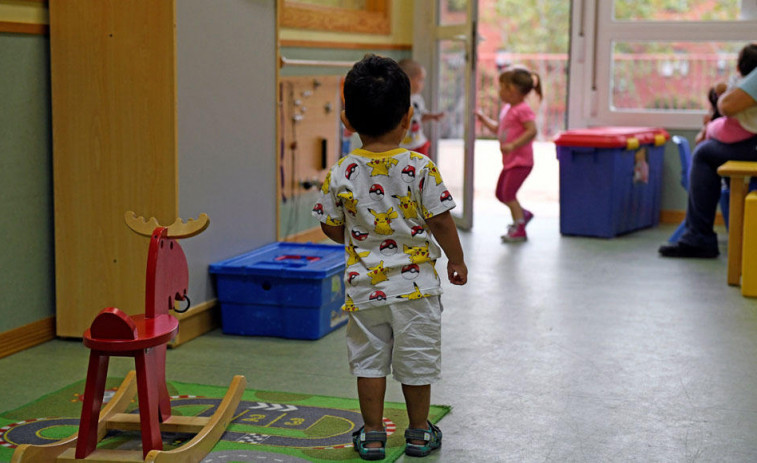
(289, 290)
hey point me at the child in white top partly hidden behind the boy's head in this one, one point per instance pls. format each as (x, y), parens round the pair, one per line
(415, 139)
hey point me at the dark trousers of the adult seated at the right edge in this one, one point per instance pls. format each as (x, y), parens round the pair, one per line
(705, 186)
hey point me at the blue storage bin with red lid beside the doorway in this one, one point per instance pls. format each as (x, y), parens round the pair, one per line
(610, 179)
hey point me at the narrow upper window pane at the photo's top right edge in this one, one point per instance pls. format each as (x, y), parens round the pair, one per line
(682, 10)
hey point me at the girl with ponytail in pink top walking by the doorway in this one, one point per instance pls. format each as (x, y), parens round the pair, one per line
(516, 131)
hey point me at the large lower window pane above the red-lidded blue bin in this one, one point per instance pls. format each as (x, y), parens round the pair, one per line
(670, 75)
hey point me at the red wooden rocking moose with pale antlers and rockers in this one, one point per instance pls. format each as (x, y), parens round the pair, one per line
(144, 337)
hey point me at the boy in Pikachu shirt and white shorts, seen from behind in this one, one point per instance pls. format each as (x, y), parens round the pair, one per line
(390, 207)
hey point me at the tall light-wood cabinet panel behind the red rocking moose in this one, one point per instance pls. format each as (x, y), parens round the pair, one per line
(113, 66)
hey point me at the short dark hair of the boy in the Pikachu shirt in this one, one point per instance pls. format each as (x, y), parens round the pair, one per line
(376, 95)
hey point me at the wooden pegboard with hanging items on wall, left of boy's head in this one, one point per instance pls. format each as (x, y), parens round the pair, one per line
(310, 139)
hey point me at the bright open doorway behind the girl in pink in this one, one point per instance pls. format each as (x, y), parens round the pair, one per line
(535, 34)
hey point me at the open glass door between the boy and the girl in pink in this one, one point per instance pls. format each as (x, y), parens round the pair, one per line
(453, 83)
